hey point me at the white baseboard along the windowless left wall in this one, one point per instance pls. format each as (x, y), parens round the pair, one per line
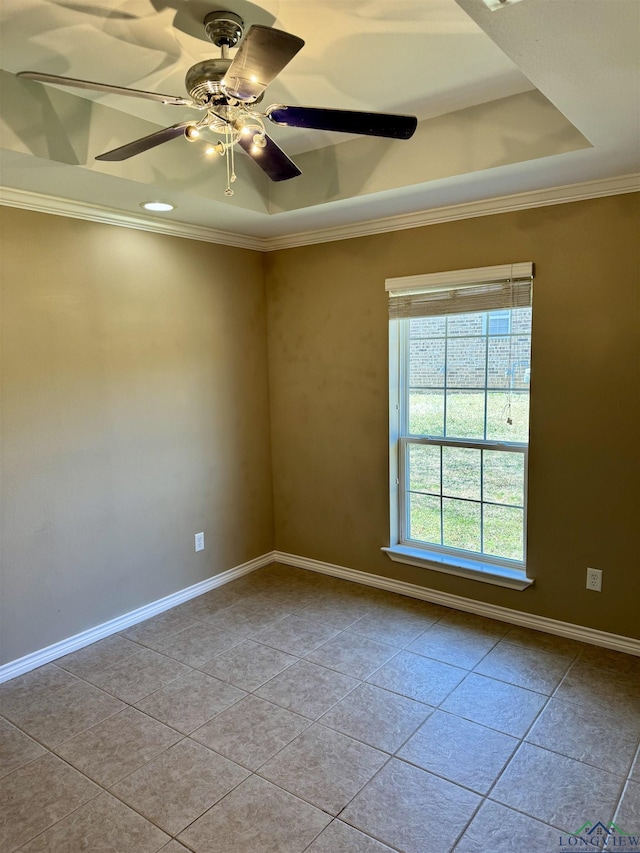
(85, 638)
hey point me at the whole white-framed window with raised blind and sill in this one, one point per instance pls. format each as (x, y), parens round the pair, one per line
(460, 346)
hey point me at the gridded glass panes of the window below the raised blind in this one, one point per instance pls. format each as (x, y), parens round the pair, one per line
(464, 423)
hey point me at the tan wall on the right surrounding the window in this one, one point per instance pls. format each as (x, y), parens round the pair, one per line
(328, 357)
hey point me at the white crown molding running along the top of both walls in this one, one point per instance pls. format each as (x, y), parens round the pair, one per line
(486, 207)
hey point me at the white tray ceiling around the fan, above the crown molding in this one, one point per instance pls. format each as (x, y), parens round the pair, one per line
(538, 94)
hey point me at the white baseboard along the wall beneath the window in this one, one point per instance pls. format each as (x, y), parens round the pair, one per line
(470, 605)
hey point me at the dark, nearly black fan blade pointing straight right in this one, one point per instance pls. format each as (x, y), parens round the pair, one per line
(345, 121)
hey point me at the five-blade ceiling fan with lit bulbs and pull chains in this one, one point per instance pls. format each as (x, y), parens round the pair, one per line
(228, 92)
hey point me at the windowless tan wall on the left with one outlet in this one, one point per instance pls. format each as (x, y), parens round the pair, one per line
(134, 415)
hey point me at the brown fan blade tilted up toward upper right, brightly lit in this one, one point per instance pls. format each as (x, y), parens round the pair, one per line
(262, 55)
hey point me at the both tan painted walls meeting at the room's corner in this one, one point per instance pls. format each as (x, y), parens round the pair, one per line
(135, 411)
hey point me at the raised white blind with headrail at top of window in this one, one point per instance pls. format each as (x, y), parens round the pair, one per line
(461, 291)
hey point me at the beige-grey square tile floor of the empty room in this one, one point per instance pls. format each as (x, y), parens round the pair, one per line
(288, 711)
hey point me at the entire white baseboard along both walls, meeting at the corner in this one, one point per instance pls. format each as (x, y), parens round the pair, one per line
(457, 602)
